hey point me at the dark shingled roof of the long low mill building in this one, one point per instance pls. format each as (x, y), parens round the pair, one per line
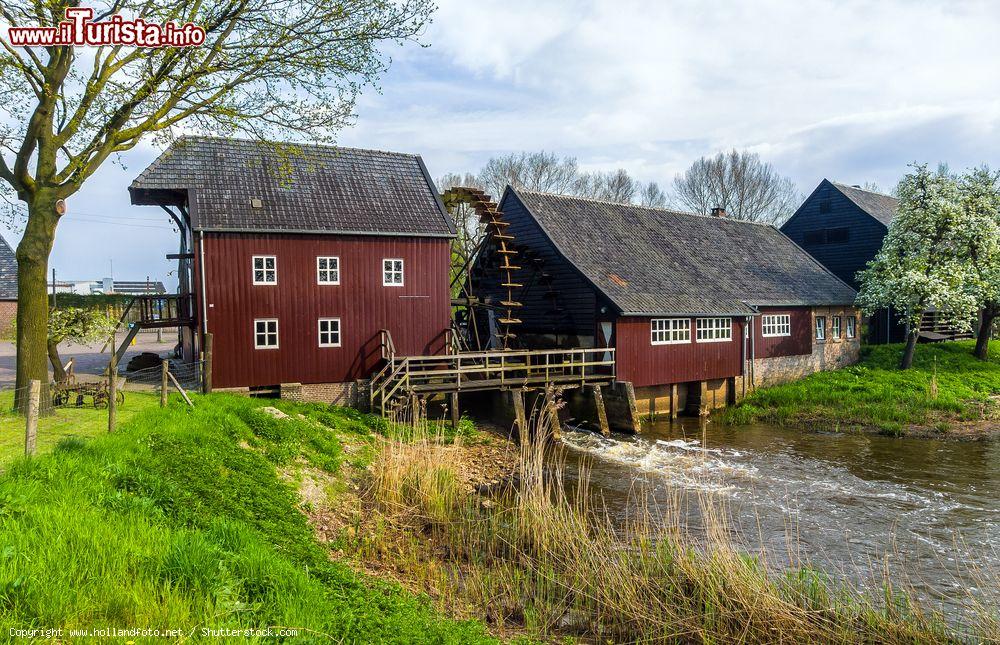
(658, 262)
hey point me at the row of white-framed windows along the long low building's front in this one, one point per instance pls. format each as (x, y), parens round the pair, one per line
(672, 331)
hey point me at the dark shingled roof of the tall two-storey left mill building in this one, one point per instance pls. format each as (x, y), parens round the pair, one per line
(302, 188)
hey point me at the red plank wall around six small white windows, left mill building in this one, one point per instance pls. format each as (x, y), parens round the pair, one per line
(416, 314)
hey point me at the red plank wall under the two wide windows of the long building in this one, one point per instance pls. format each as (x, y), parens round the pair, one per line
(643, 363)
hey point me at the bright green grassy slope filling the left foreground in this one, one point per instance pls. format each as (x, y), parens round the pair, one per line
(181, 520)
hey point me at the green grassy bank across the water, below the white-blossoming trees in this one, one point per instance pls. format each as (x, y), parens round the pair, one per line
(947, 390)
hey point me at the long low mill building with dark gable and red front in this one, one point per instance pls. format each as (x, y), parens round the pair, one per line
(675, 294)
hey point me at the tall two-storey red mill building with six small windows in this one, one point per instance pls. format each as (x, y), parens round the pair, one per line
(295, 259)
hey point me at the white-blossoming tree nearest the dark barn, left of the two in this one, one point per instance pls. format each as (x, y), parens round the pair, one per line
(921, 265)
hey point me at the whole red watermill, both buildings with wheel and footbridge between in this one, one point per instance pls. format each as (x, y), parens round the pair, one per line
(323, 273)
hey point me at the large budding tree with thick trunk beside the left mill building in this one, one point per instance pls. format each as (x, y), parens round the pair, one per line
(266, 67)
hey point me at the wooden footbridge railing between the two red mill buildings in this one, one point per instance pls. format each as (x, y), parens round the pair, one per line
(477, 371)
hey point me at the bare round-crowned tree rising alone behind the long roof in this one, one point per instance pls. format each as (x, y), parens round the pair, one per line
(739, 181)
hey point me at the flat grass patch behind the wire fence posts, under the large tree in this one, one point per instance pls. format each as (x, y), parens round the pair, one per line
(68, 422)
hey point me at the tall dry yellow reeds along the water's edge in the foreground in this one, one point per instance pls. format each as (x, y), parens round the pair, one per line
(542, 559)
